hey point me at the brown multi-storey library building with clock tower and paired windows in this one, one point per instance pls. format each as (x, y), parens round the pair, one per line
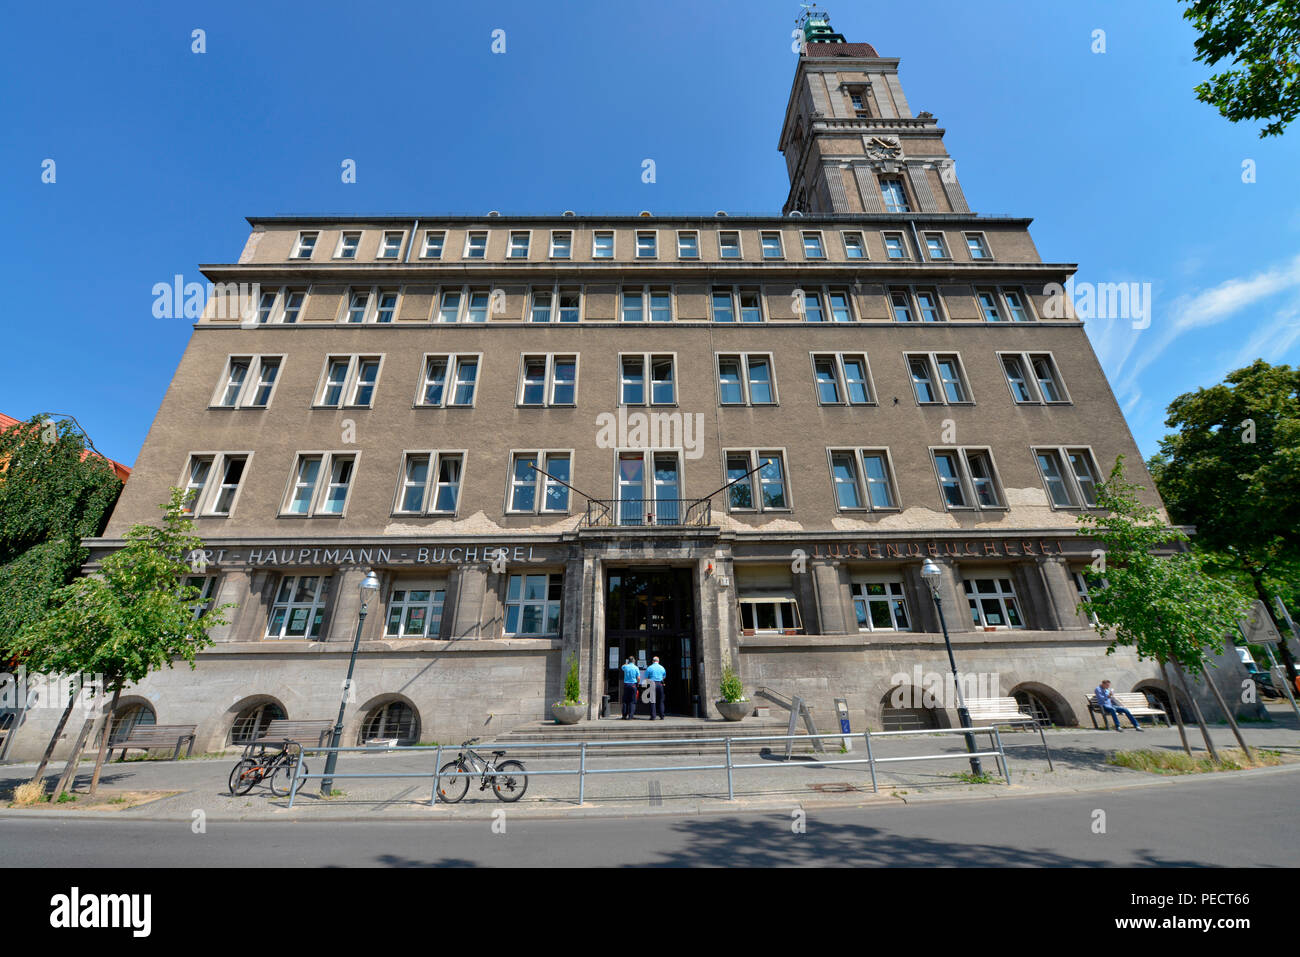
(712, 439)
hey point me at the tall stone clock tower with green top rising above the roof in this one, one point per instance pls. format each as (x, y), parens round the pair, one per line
(852, 144)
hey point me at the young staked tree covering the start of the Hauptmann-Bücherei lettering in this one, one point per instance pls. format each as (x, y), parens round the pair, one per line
(131, 620)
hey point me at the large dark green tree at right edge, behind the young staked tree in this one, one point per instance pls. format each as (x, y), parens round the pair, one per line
(1232, 470)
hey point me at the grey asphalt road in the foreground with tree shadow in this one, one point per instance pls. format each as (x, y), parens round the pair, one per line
(1211, 822)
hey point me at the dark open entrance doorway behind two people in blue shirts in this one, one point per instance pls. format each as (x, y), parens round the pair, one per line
(651, 613)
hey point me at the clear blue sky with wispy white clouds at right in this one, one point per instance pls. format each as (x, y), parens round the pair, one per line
(161, 154)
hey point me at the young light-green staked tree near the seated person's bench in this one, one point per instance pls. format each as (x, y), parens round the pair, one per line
(1164, 607)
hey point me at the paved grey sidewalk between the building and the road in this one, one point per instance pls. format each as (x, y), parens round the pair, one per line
(805, 781)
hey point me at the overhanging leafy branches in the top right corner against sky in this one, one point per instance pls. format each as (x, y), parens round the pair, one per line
(1262, 38)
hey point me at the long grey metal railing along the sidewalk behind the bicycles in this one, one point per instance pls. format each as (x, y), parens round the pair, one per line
(995, 752)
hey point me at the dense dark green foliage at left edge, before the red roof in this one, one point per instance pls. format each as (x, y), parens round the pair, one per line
(51, 497)
